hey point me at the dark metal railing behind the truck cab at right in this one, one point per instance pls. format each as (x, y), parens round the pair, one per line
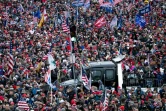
(147, 82)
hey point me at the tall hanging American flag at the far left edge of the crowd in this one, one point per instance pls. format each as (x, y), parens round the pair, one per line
(10, 63)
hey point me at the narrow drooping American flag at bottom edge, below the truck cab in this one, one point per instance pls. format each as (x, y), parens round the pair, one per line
(104, 100)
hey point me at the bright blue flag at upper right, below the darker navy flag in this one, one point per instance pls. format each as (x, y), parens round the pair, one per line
(139, 20)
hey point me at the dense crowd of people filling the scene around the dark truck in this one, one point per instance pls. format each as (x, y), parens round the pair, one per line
(24, 87)
